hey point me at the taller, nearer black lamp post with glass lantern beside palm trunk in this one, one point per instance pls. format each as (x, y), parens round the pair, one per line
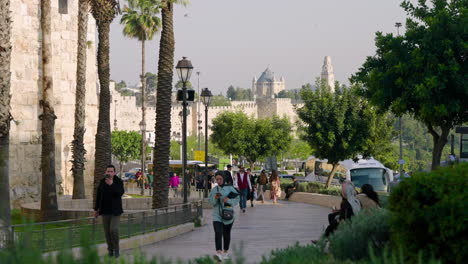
(184, 70)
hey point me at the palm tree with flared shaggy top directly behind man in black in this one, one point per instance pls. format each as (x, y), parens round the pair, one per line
(104, 11)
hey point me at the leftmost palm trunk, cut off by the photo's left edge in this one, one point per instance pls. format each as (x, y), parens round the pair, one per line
(5, 116)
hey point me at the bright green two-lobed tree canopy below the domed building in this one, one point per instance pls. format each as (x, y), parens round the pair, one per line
(238, 134)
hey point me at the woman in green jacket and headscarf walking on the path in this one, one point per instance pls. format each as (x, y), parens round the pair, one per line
(222, 197)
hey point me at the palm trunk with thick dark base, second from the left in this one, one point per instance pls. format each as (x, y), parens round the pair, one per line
(49, 207)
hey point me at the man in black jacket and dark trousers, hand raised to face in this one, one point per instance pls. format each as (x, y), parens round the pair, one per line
(109, 205)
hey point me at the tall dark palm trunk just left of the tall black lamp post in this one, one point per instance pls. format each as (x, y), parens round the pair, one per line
(163, 109)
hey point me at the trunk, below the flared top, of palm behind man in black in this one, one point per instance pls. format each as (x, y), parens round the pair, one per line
(103, 136)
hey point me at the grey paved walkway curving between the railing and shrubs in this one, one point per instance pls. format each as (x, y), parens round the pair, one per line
(261, 229)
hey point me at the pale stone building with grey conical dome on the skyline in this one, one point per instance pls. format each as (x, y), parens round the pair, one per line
(268, 85)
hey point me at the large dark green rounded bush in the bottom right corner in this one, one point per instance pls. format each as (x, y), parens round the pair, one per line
(429, 213)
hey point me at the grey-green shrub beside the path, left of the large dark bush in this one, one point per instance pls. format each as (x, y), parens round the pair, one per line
(353, 239)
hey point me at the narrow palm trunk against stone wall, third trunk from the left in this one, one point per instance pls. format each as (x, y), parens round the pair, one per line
(78, 148)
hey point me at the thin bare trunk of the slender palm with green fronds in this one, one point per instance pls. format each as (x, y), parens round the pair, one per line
(143, 132)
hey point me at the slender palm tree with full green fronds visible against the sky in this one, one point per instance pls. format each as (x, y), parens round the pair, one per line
(141, 22)
